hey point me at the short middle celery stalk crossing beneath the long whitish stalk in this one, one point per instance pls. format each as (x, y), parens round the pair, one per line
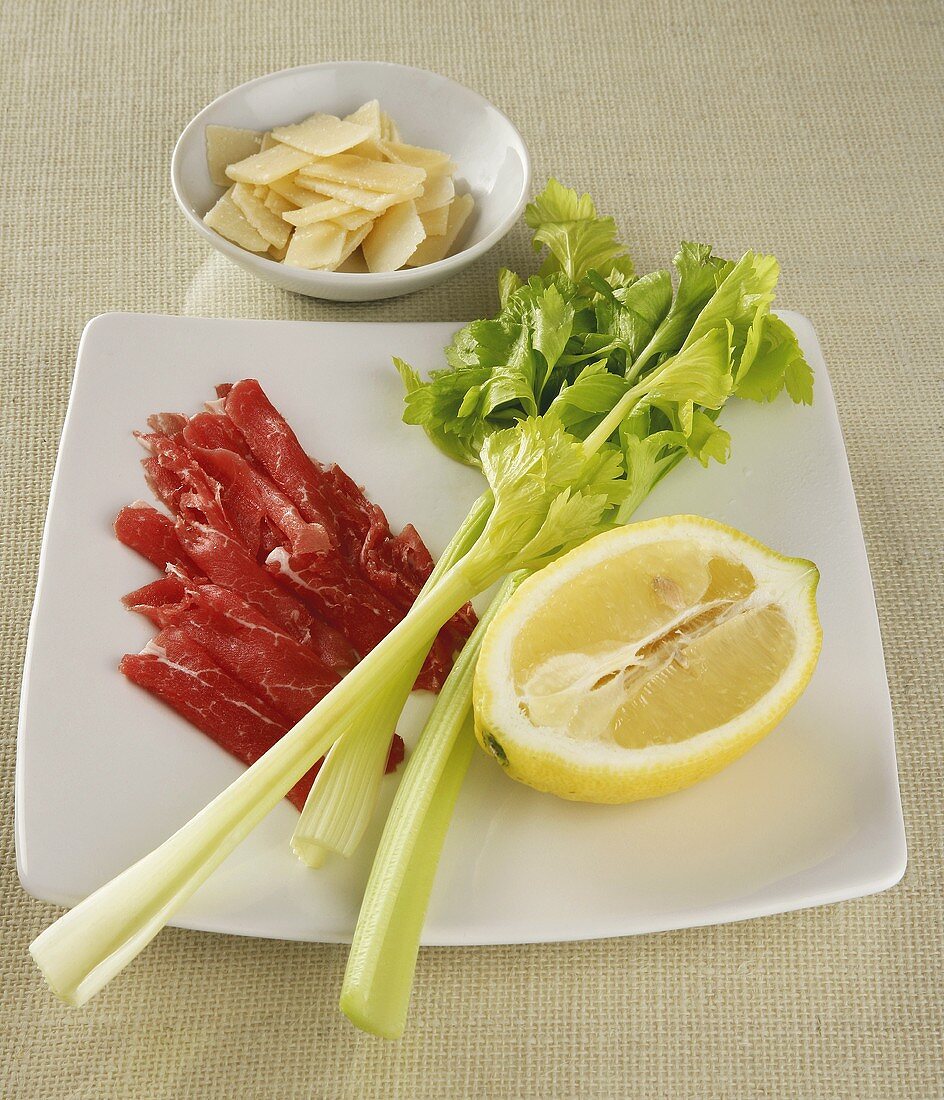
(342, 801)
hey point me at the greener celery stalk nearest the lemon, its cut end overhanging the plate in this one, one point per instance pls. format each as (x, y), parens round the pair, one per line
(378, 982)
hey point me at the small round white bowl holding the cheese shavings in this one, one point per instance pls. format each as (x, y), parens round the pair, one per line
(430, 109)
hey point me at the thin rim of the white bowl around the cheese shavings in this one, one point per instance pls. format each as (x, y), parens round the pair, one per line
(355, 279)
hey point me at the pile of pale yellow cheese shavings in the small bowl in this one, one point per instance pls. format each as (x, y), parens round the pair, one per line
(332, 194)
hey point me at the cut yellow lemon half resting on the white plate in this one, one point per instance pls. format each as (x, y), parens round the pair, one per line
(646, 661)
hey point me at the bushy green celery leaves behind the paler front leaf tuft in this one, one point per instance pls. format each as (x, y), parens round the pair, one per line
(574, 342)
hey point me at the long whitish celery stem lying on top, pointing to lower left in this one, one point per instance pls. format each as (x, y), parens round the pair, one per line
(90, 945)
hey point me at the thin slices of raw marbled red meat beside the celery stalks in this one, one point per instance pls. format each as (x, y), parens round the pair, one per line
(280, 575)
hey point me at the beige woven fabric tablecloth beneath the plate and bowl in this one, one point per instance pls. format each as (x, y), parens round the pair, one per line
(814, 130)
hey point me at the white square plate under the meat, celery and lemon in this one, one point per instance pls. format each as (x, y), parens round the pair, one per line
(105, 773)
